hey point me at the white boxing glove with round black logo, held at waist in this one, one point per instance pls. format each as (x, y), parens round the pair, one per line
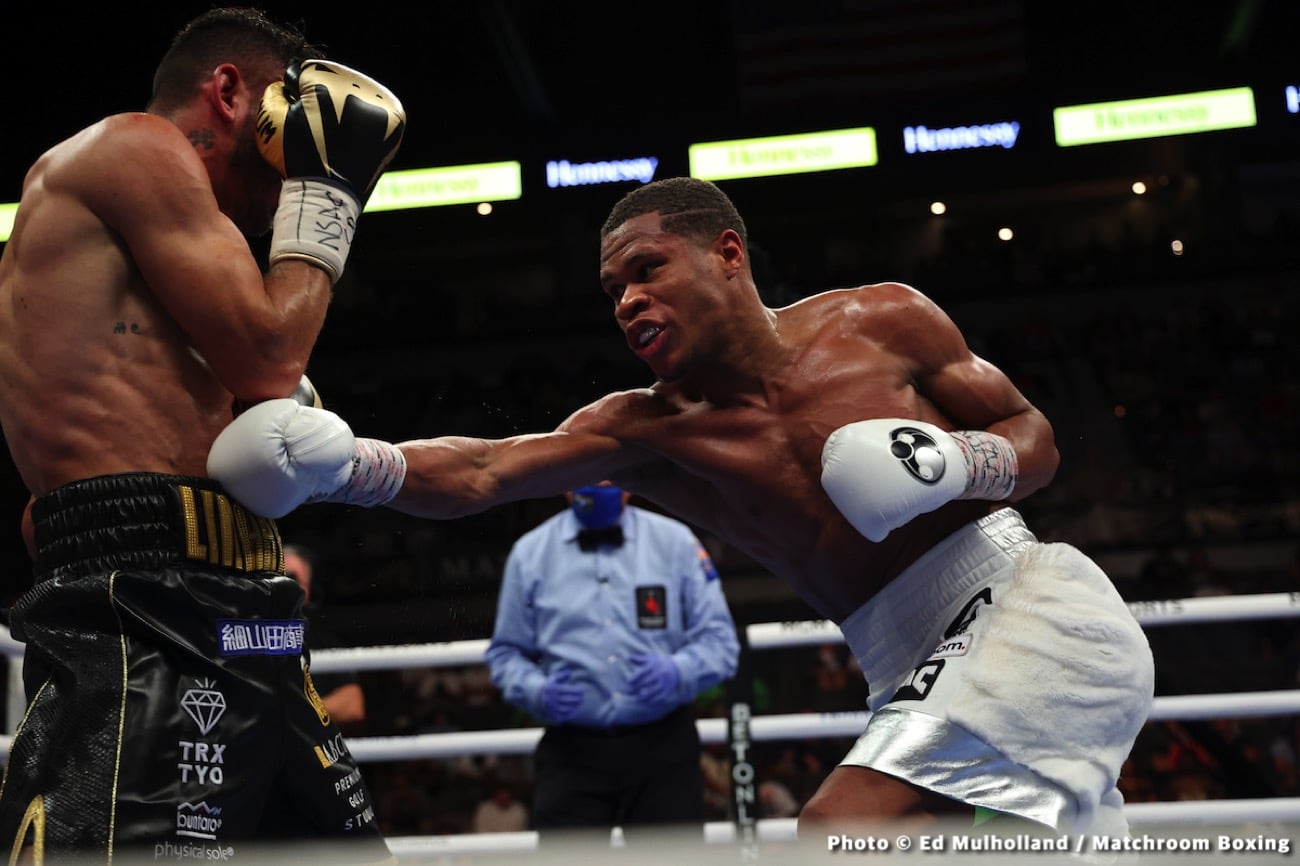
(883, 473)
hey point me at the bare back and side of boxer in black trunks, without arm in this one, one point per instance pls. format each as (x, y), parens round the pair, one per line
(96, 376)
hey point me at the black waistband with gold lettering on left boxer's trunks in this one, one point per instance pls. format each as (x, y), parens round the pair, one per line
(148, 521)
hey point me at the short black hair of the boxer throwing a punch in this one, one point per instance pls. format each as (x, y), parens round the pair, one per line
(688, 206)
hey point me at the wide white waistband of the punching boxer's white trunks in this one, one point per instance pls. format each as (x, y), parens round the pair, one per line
(887, 634)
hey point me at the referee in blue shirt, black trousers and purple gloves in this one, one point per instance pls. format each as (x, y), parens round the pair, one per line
(610, 621)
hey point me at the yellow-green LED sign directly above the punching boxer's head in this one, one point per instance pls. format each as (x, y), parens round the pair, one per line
(785, 154)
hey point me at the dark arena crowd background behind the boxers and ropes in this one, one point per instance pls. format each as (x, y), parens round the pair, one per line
(1156, 330)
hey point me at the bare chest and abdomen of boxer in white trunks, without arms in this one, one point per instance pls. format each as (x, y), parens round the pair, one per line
(749, 470)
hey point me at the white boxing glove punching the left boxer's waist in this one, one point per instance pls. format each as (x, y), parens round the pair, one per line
(281, 454)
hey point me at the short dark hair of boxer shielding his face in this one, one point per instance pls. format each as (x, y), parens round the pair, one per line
(241, 36)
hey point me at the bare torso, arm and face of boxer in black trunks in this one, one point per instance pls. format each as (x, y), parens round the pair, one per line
(124, 284)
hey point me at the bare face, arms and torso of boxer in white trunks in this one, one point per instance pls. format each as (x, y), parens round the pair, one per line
(731, 436)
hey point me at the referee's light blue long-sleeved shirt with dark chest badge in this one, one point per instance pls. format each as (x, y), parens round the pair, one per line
(590, 613)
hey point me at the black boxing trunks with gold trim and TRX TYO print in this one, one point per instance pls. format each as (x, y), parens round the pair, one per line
(171, 713)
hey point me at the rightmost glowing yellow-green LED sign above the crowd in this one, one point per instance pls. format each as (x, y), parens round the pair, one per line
(1154, 118)
